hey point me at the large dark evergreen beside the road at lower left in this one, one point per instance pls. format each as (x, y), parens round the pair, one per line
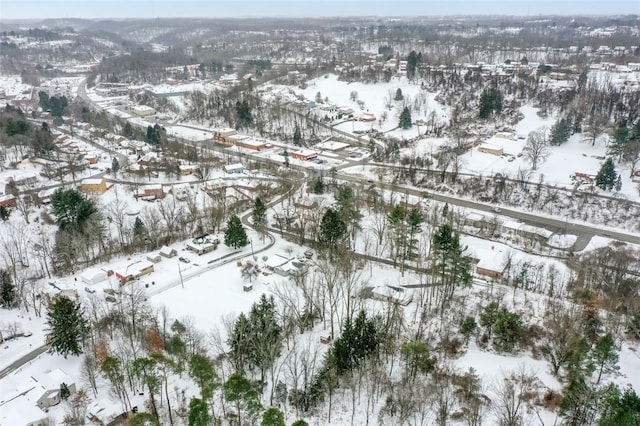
(67, 326)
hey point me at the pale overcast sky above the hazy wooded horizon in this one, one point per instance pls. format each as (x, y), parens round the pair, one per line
(37, 9)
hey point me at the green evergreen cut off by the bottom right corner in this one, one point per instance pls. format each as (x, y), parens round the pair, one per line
(619, 408)
